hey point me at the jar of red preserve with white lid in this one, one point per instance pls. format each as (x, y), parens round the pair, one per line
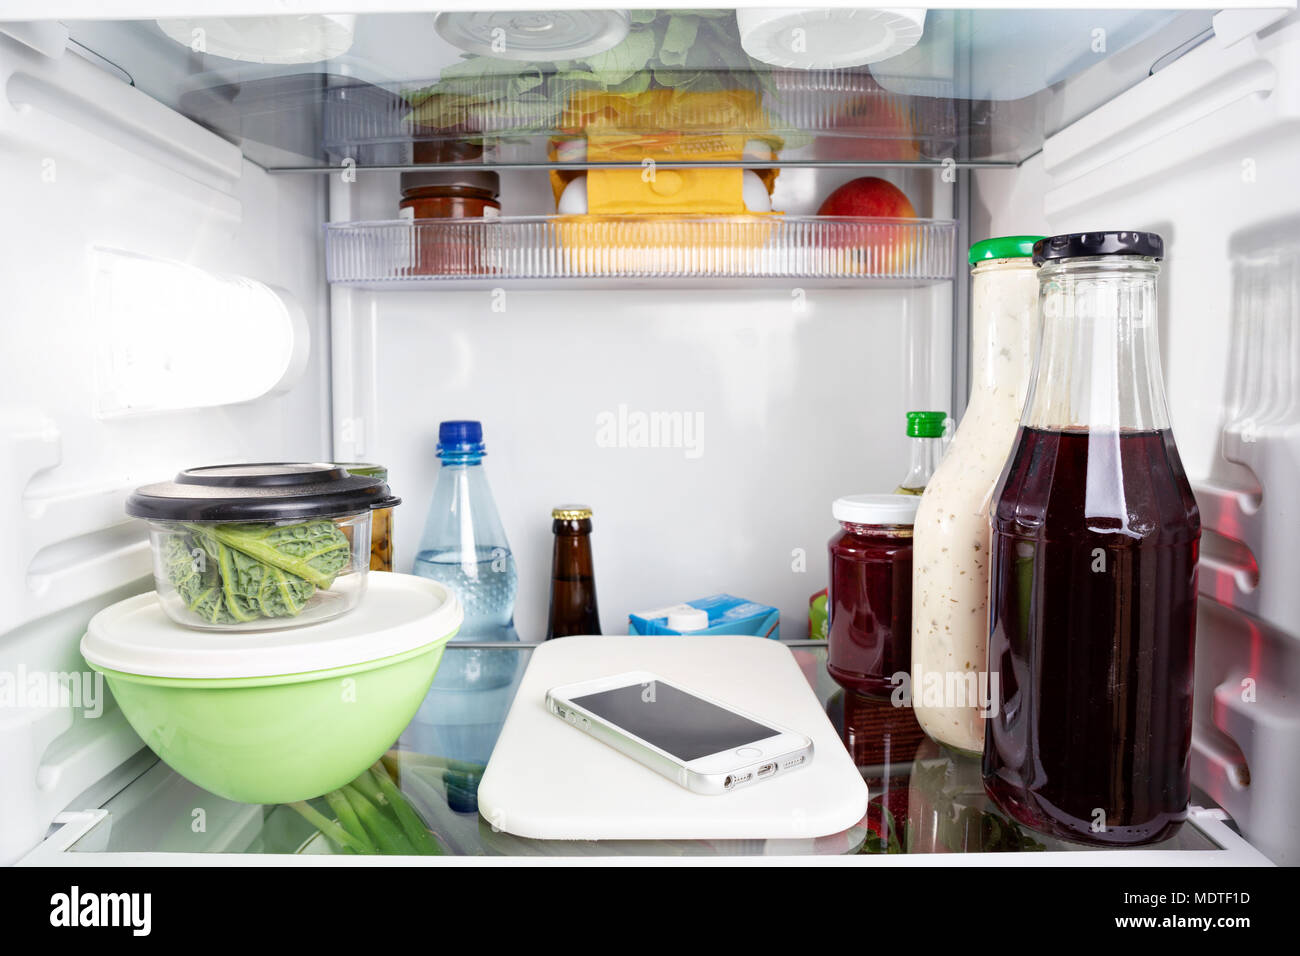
(869, 600)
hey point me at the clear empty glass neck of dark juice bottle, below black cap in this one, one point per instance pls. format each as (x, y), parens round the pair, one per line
(1099, 361)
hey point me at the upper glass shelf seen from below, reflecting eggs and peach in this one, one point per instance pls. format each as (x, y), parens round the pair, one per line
(976, 90)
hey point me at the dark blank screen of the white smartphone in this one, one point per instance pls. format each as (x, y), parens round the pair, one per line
(674, 721)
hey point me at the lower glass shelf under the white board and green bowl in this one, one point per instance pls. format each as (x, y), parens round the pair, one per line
(924, 801)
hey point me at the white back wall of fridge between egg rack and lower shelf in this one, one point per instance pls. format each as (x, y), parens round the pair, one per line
(796, 409)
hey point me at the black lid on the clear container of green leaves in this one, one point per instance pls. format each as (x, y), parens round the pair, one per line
(267, 492)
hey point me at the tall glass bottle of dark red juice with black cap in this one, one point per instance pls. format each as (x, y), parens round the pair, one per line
(1093, 592)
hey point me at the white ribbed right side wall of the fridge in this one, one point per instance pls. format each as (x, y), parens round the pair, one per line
(1207, 153)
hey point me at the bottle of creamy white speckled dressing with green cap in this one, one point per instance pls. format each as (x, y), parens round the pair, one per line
(951, 546)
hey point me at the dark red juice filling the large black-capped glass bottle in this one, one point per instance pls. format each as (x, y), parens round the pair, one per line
(1094, 609)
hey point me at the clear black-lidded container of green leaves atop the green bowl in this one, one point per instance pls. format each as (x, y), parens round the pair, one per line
(257, 547)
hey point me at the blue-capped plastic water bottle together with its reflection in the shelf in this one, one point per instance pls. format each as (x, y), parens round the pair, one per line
(465, 547)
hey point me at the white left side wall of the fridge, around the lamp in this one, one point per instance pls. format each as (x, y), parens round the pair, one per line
(86, 162)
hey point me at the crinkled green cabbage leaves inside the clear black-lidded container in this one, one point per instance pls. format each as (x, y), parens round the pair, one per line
(231, 574)
